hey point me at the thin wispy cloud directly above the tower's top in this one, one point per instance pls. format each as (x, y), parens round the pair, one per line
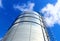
(25, 7)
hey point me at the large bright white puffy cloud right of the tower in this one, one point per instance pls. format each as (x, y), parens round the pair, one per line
(51, 14)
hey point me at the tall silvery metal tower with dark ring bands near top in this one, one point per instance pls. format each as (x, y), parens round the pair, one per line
(28, 27)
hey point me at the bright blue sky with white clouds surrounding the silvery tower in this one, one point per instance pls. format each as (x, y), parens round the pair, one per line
(50, 9)
